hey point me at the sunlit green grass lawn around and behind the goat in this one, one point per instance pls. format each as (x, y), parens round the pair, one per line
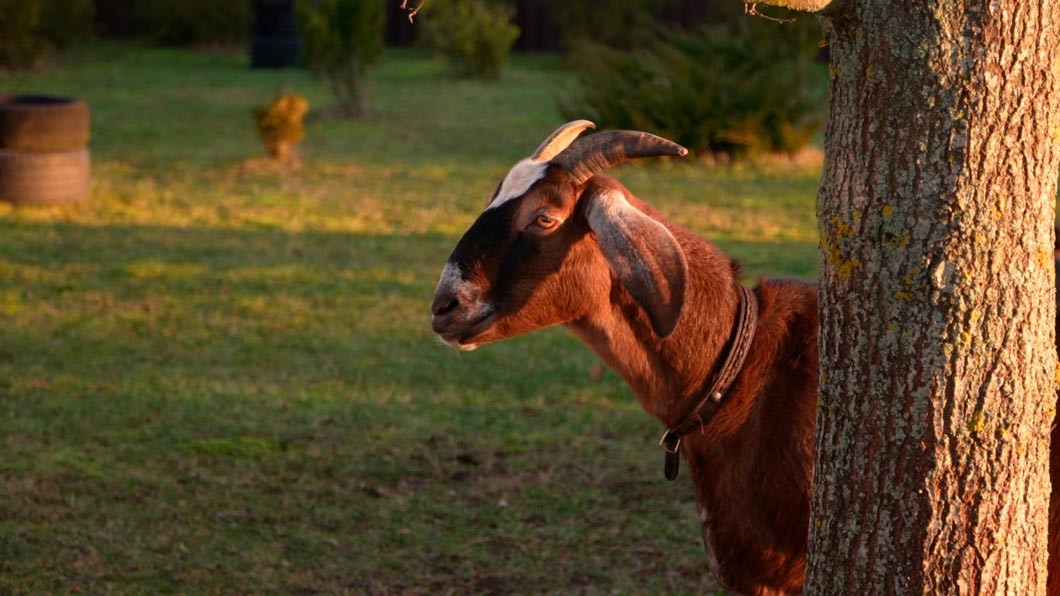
(223, 380)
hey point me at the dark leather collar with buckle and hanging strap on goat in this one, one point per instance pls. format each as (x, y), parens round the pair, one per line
(711, 401)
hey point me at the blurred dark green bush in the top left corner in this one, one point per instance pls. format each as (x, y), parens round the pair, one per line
(30, 30)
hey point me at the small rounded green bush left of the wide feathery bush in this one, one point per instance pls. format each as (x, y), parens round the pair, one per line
(476, 36)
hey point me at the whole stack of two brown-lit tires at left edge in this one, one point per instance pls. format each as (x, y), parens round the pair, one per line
(44, 150)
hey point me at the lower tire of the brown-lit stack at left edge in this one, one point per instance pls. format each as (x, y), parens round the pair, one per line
(45, 179)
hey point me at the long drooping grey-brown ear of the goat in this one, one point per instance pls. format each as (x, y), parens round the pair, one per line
(644, 255)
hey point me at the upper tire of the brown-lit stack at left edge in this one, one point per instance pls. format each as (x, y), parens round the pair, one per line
(43, 124)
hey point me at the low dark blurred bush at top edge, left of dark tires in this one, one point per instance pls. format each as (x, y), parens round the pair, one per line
(193, 23)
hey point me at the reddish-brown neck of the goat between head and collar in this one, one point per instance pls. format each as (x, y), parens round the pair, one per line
(667, 374)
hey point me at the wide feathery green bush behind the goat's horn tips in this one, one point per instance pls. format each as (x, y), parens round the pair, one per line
(735, 91)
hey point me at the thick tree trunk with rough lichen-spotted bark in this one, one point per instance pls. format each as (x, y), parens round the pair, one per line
(938, 358)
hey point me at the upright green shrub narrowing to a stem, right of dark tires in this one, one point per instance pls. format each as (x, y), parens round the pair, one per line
(342, 41)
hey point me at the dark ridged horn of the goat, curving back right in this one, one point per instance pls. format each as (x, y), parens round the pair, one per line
(586, 157)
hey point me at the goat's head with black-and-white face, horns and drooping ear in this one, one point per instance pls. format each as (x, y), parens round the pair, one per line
(553, 241)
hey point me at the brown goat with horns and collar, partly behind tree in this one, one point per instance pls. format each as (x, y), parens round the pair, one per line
(562, 244)
